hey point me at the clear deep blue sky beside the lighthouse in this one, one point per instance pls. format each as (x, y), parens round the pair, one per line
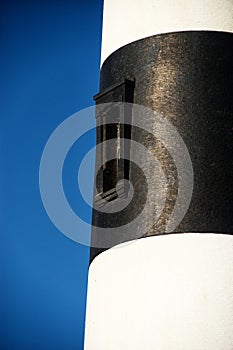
(50, 56)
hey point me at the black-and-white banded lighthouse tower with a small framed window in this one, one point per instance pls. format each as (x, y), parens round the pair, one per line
(166, 86)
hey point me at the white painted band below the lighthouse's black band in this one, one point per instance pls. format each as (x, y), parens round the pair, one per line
(165, 292)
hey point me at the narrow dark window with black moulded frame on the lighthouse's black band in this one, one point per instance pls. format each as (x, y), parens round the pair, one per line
(112, 125)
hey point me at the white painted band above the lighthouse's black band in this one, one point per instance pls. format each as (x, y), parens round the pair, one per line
(130, 20)
